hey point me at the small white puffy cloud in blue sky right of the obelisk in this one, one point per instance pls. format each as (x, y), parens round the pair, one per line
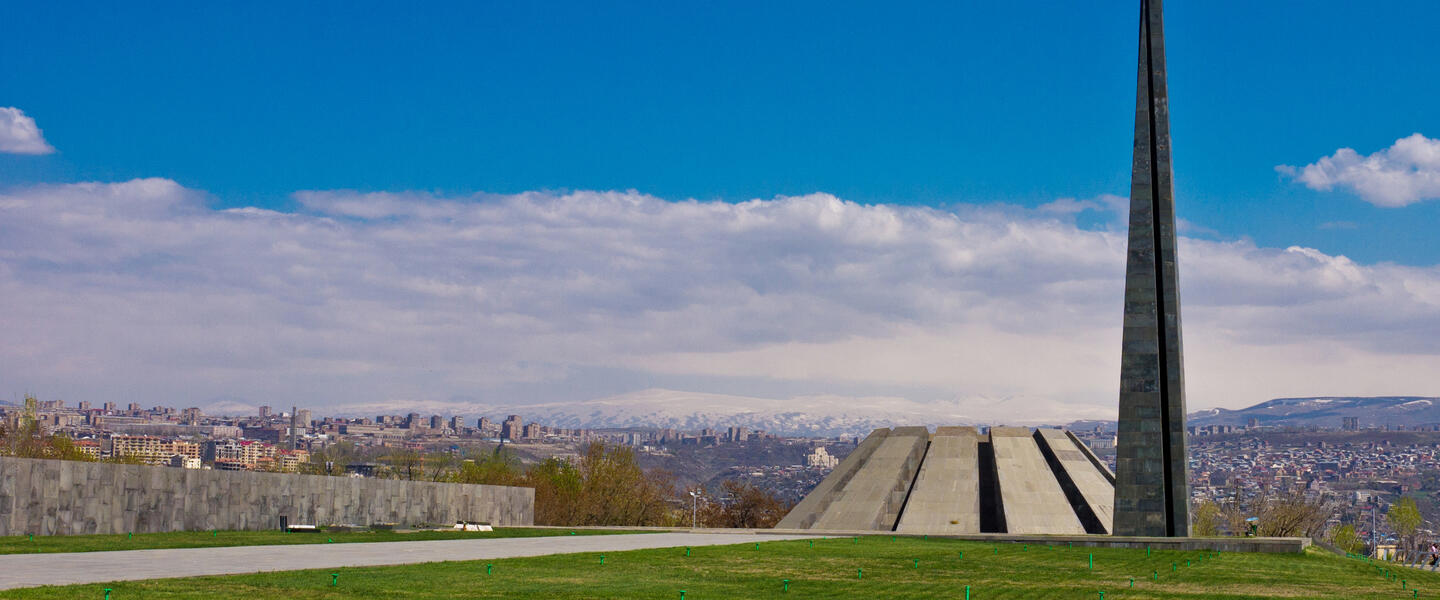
(1403, 175)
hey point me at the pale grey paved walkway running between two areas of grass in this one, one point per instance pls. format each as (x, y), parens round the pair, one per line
(30, 571)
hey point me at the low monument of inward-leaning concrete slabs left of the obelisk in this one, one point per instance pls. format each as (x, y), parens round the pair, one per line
(963, 481)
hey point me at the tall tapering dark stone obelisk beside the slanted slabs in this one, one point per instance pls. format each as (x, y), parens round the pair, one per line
(1153, 484)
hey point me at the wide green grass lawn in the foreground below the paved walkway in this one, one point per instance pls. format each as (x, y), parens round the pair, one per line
(875, 568)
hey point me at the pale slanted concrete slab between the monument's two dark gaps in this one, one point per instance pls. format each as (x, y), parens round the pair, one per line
(1032, 497)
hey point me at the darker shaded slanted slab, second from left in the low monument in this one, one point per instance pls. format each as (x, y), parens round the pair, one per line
(873, 497)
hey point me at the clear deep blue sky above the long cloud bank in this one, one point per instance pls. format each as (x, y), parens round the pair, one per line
(919, 104)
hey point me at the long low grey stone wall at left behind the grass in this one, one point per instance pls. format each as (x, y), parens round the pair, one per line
(67, 497)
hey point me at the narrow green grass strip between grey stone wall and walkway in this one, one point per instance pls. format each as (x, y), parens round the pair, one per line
(24, 545)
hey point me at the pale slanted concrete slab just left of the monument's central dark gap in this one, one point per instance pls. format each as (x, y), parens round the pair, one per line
(945, 499)
